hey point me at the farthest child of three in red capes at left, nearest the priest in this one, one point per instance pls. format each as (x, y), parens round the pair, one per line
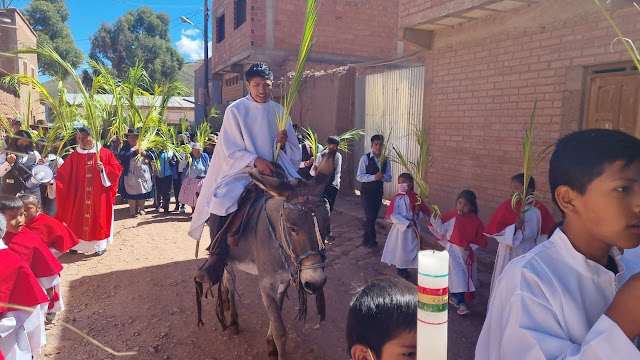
(55, 234)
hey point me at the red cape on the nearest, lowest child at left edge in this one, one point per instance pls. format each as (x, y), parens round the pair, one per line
(18, 286)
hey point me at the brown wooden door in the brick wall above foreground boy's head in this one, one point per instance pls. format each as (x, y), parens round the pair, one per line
(615, 104)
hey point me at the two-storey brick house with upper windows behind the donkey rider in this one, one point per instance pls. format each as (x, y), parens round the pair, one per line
(246, 31)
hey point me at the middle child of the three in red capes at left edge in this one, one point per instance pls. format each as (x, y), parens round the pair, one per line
(33, 251)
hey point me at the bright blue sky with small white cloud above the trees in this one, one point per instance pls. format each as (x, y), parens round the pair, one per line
(86, 17)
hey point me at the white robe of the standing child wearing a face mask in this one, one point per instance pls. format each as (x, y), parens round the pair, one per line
(402, 246)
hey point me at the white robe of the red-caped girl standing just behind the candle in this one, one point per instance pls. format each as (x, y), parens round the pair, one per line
(458, 272)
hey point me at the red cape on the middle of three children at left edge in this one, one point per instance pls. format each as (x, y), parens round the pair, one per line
(34, 252)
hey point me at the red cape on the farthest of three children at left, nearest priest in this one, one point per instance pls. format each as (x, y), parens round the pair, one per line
(54, 233)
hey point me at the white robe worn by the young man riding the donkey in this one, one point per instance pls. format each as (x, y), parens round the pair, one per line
(249, 130)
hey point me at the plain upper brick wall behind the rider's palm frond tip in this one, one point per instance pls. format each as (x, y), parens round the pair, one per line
(364, 28)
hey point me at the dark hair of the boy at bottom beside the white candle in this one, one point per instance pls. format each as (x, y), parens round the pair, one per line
(381, 311)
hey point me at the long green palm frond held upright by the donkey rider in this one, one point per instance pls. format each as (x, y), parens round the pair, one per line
(282, 118)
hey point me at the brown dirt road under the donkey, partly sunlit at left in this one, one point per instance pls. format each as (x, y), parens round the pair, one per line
(139, 296)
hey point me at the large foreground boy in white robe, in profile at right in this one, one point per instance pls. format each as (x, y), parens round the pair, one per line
(563, 299)
